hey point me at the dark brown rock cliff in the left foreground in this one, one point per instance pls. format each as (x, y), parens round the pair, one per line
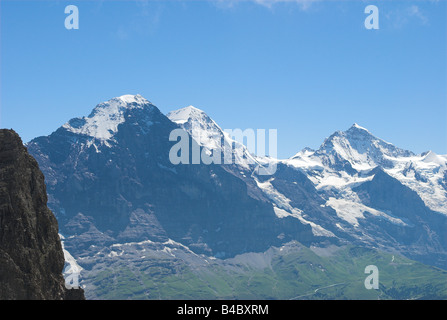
(31, 256)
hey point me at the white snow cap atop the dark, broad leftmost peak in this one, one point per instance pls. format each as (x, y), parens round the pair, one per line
(103, 121)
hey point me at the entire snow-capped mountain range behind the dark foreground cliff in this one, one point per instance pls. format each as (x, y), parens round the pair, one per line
(136, 224)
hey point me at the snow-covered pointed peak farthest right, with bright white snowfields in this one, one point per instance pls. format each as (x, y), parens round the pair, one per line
(346, 156)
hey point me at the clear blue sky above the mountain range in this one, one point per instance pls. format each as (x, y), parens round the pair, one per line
(306, 68)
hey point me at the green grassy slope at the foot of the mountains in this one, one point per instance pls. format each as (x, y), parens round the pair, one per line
(300, 274)
